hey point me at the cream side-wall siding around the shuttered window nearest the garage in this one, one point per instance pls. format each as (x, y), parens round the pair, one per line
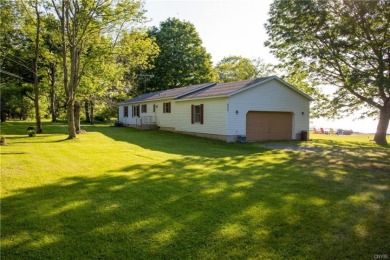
(214, 116)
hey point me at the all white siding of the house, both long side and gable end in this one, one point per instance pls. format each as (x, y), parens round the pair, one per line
(220, 116)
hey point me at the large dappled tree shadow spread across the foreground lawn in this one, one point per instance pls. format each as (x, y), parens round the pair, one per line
(244, 206)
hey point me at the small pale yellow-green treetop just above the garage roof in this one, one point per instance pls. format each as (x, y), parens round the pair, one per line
(235, 68)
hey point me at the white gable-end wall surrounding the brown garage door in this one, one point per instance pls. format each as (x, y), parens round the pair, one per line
(270, 96)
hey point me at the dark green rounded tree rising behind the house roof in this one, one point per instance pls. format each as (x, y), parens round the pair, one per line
(182, 59)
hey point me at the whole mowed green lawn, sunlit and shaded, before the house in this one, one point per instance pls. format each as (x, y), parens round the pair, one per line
(123, 193)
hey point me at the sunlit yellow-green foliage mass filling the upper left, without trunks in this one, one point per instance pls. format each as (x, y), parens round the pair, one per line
(109, 51)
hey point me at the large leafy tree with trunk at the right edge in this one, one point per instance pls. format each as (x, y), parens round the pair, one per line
(341, 43)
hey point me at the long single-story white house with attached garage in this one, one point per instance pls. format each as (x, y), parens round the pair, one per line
(257, 109)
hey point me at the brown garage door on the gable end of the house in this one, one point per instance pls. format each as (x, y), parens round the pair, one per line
(268, 126)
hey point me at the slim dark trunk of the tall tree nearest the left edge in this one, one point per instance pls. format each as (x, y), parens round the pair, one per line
(35, 72)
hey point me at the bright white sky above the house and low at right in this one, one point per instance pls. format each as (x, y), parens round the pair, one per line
(236, 27)
